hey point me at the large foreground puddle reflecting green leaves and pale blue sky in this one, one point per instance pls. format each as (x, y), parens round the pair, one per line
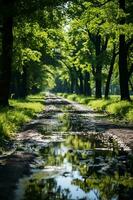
(86, 171)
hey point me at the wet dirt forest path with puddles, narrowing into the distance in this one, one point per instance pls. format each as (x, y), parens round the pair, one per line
(54, 148)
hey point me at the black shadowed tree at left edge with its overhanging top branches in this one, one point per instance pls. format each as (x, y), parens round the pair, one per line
(8, 10)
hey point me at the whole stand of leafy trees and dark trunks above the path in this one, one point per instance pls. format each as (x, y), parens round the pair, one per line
(77, 46)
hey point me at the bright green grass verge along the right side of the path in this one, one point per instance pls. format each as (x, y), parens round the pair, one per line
(116, 109)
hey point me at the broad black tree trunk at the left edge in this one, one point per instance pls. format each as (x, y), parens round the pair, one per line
(7, 45)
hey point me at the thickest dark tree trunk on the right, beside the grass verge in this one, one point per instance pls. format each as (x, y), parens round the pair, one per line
(123, 70)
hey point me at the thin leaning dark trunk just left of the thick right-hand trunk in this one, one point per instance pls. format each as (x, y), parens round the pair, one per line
(110, 74)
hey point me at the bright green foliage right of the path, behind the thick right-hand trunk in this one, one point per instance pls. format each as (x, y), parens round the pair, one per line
(90, 25)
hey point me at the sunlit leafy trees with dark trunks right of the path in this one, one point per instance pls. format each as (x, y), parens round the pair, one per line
(99, 34)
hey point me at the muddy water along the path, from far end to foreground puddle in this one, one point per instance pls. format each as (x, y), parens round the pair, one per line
(74, 159)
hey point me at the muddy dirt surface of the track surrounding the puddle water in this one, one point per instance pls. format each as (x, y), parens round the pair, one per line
(18, 164)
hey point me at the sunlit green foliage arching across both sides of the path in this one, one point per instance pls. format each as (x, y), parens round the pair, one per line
(55, 45)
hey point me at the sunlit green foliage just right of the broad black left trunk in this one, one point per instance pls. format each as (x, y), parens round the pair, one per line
(36, 54)
